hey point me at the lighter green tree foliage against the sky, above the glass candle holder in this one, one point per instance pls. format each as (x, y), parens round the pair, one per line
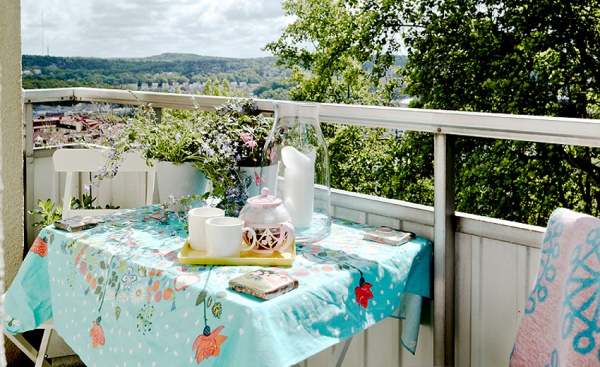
(327, 49)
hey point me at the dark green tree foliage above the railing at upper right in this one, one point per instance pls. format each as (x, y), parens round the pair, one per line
(505, 56)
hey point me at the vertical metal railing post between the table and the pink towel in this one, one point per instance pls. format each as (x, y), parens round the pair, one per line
(443, 279)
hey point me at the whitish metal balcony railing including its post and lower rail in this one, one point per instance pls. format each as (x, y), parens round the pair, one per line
(444, 125)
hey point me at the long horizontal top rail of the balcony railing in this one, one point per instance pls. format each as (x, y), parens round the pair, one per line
(555, 130)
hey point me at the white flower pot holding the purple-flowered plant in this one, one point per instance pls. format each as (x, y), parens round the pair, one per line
(179, 180)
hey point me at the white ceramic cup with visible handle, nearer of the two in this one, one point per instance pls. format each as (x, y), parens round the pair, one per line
(224, 237)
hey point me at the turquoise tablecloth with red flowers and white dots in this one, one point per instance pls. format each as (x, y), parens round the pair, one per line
(120, 297)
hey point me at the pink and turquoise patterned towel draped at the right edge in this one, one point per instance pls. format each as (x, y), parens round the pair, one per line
(561, 325)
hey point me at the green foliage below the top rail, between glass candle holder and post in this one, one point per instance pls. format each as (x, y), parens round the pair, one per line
(381, 162)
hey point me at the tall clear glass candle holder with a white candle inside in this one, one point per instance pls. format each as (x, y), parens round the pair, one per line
(297, 146)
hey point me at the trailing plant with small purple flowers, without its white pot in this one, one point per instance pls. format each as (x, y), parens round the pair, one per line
(216, 143)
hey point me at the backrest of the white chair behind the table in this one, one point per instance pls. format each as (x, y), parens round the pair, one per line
(74, 162)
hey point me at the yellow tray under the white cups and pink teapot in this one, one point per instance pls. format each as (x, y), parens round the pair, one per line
(187, 255)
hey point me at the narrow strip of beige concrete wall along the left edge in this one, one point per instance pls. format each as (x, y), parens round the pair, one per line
(11, 156)
